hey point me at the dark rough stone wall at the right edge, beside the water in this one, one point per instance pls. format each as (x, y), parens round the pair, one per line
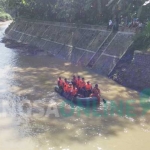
(137, 73)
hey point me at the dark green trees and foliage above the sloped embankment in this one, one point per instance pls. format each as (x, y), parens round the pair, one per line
(84, 11)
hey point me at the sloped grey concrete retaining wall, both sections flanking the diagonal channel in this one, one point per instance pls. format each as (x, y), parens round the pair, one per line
(77, 44)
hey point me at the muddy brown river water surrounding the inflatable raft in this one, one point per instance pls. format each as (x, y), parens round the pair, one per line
(25, 78)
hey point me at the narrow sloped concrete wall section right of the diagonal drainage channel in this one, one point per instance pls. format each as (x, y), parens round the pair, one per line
(113, 53)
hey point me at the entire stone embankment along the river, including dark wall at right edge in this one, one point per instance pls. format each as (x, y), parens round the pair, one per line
(92, 46)
